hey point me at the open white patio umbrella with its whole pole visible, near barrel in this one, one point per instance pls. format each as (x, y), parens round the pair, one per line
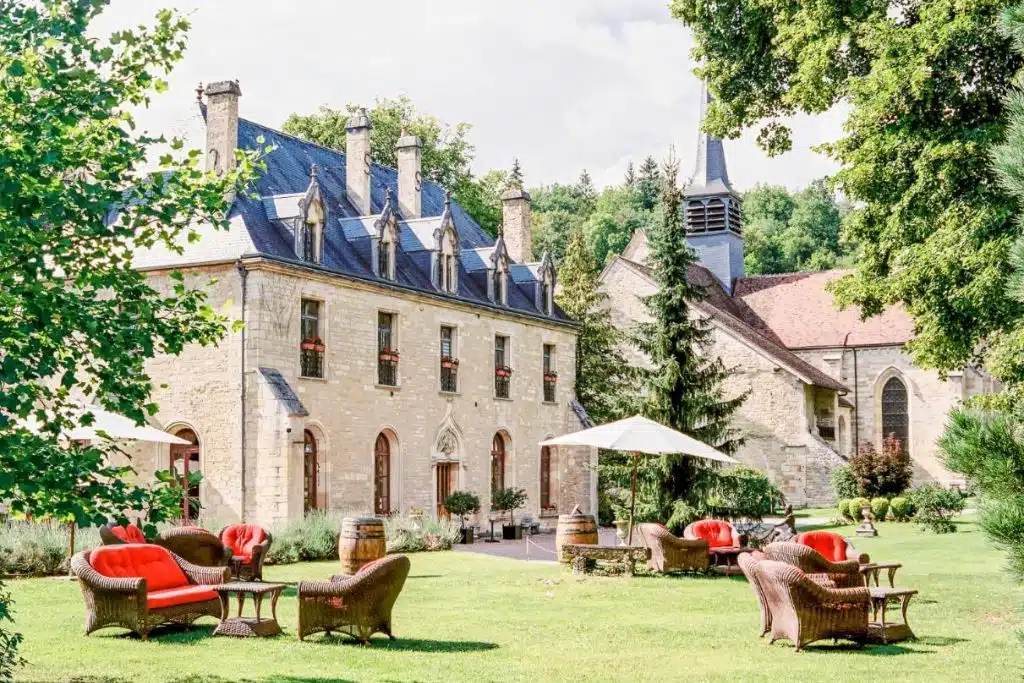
(641, 437)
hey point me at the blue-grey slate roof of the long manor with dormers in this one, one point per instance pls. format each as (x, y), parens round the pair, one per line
(263, 227)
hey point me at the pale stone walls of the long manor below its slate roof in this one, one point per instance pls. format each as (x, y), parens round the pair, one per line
(348, 410)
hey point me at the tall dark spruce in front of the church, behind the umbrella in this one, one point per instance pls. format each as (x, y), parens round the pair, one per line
(685, 387)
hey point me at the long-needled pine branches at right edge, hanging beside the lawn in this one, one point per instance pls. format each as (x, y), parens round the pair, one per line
(988, 448)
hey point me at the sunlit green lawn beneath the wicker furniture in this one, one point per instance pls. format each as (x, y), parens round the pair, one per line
(470, 618)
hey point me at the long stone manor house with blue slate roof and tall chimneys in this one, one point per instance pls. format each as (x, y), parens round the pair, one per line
(392, 352)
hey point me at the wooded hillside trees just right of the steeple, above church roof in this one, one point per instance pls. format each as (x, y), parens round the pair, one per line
(790, 233)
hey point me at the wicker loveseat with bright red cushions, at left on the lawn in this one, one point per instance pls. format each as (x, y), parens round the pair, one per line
(174, 591)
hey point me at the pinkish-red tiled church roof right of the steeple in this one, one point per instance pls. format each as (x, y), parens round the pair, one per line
(800, 313)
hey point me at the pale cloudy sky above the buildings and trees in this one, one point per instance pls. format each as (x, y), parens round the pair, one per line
(563, 86)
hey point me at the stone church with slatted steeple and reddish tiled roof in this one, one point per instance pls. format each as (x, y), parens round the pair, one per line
(822, 382)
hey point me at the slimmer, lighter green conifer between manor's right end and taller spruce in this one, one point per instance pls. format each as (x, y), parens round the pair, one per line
(605, 380)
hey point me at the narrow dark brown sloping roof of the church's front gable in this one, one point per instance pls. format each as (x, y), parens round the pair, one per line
(722, 311)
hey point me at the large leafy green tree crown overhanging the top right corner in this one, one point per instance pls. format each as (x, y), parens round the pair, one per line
(923, 84)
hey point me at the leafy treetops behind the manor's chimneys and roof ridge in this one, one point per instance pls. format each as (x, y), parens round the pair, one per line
(447, 150)
